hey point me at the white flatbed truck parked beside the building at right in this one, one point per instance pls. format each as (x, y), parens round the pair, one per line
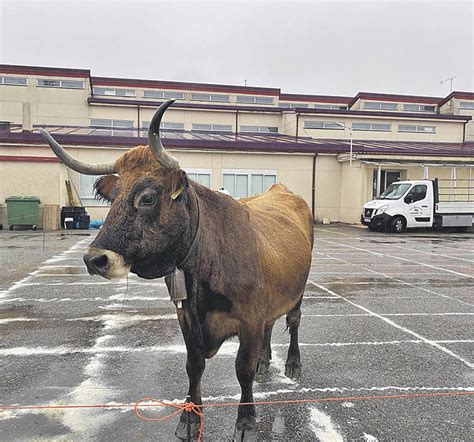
(408, 204)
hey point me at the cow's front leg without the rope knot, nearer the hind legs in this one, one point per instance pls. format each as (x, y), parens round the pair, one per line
(245, 365)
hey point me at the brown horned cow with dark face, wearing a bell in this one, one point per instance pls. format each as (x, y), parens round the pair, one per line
(245, 262)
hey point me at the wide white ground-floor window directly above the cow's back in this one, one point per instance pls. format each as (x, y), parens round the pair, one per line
(243, 183)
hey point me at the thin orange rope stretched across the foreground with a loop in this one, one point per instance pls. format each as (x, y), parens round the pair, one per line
(190, 407)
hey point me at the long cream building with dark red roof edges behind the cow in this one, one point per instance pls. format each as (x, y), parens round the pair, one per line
(239, 138)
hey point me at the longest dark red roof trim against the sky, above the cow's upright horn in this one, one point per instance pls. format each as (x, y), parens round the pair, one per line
(178, 85)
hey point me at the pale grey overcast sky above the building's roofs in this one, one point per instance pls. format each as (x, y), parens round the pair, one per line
(315, 47)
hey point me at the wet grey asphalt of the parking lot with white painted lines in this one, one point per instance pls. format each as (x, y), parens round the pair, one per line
(384, 316)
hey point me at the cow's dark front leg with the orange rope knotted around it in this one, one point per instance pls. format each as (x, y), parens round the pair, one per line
(195, 364)
